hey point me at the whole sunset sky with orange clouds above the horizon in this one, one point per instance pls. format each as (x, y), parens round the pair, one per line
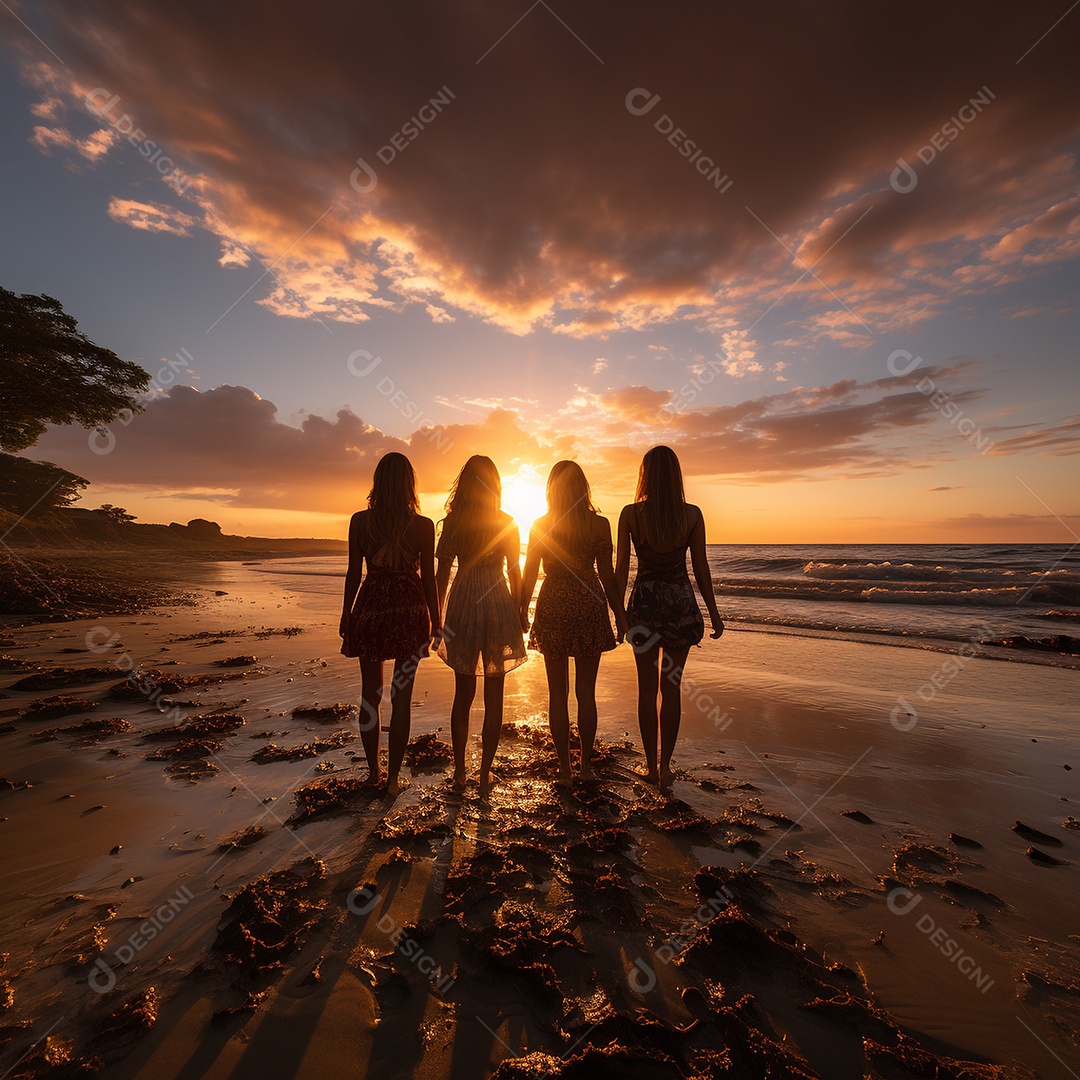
(829, 253)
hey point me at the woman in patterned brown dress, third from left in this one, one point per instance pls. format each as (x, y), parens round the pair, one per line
(574, 544)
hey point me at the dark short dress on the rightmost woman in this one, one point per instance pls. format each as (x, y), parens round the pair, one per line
(663, 602)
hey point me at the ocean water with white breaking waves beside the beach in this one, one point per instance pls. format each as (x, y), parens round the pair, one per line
(1020, 602)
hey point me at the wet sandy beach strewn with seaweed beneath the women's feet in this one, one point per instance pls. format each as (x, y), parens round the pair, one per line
(196, 885)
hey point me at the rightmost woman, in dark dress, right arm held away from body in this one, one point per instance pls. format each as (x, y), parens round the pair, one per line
(664, 613)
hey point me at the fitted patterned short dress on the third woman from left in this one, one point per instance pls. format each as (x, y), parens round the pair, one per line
(572, 616)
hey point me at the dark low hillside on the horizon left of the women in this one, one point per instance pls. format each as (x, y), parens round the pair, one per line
(92, 531)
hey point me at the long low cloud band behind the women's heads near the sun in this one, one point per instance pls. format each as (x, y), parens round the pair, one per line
(231, 443)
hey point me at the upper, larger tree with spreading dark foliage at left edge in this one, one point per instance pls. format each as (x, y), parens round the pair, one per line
(51, 373)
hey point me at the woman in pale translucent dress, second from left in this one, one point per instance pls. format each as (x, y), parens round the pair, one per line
(482, 636)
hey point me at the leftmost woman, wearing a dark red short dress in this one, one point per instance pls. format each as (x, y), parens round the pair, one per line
(394, 615)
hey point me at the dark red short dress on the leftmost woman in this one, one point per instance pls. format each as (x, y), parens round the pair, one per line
(389, 619)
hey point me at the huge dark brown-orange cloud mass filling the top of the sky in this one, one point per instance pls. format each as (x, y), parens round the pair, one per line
(547, 202)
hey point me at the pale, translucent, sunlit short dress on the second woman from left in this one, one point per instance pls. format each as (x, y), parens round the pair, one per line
(482, 631)
